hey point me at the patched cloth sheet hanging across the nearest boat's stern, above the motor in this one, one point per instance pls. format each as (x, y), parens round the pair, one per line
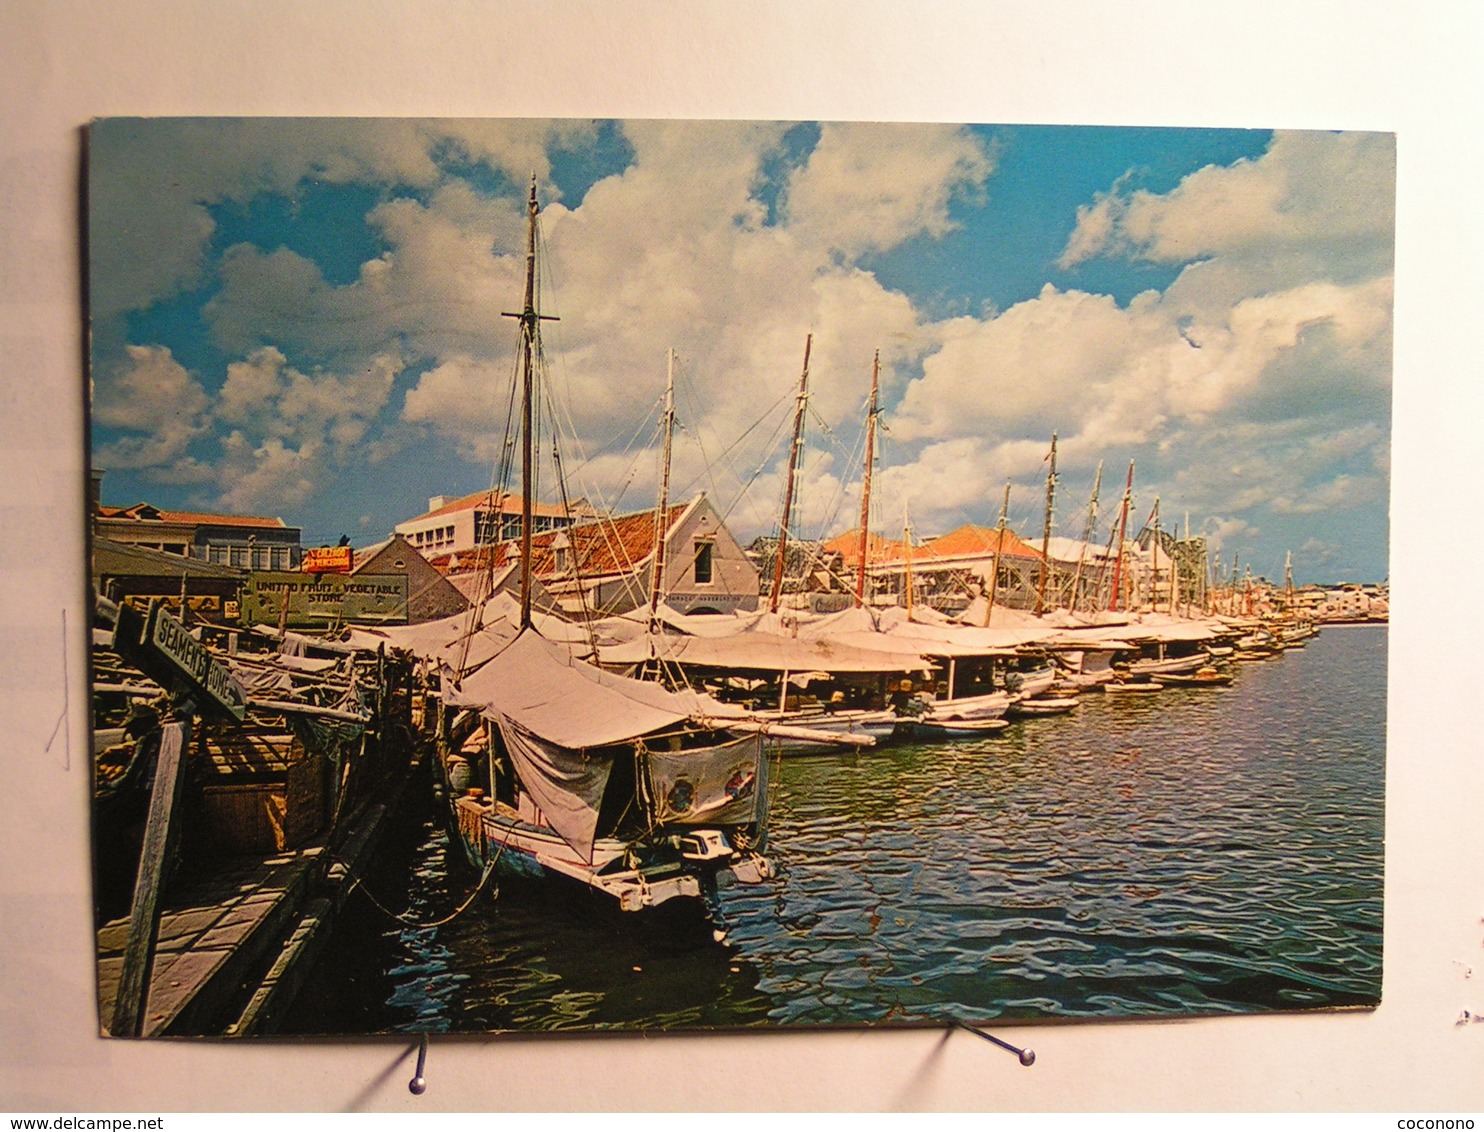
(718, 784)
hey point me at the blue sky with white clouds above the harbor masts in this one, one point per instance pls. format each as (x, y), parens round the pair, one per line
(302, 318)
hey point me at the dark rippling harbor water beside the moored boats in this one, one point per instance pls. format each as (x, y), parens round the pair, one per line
(1189, 852)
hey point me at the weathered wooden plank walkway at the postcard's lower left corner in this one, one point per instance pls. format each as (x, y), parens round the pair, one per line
(214, 931)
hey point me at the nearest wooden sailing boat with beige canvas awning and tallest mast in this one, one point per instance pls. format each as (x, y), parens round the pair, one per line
(557, 769)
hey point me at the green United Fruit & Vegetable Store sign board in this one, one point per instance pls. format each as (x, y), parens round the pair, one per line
(318, 602)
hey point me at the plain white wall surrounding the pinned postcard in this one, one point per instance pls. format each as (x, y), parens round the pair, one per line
(1366, 65)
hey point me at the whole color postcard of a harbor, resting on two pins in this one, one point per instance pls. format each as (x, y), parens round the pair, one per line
(623, 576)
